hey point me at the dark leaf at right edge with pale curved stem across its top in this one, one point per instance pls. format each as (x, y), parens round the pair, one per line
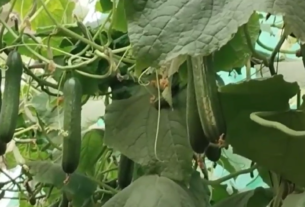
(278, 149)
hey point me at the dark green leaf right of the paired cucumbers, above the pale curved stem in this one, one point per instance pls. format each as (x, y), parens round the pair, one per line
(263, 94)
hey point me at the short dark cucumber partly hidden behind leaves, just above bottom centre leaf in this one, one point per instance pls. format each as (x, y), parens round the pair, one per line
(125, 173)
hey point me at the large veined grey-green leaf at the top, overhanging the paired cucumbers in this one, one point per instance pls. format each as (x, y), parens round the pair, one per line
(162, 30)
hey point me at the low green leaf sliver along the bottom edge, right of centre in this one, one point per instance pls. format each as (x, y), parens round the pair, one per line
(259, 197)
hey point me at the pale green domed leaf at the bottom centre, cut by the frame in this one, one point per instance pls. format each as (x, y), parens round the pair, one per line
(152, 190)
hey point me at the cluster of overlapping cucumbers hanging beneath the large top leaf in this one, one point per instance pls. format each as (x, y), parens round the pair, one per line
(205, 121)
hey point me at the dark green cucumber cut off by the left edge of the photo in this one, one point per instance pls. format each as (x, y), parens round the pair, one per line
(10, 100)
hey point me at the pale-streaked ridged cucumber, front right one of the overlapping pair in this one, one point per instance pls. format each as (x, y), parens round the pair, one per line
(208, 103)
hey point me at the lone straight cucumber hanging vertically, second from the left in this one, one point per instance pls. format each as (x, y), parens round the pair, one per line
(72, 125)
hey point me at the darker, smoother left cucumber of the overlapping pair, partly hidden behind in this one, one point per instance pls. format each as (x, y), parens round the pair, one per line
(196, 136)
